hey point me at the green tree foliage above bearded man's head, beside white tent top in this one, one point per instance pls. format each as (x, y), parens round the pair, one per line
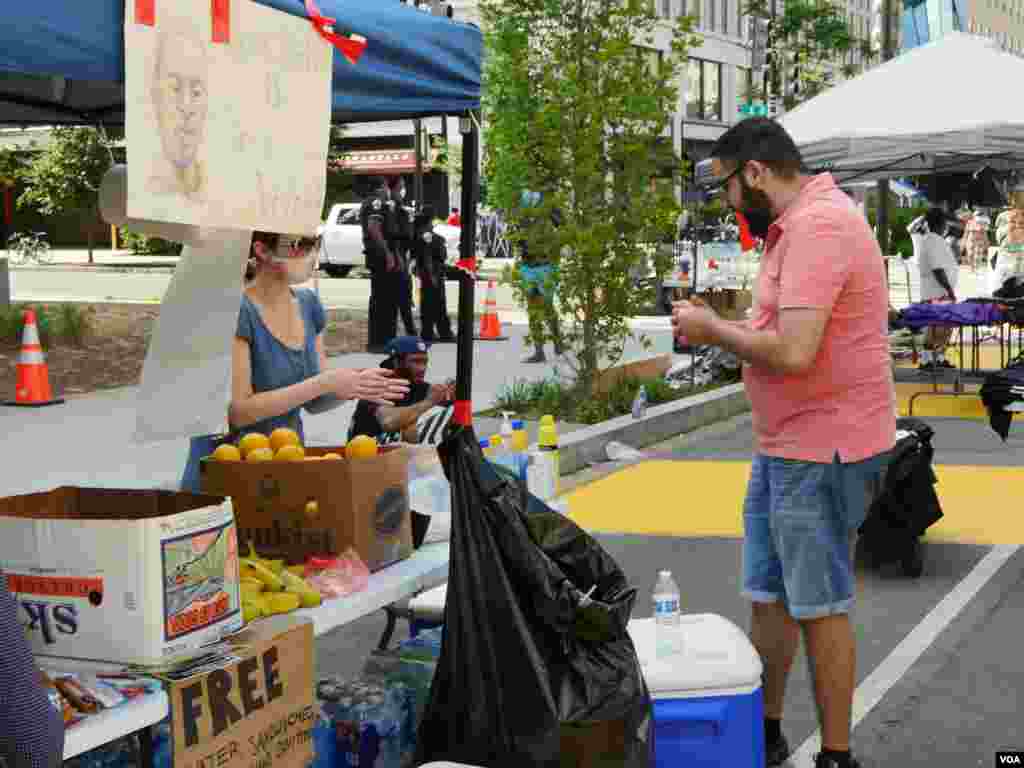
(812, 40)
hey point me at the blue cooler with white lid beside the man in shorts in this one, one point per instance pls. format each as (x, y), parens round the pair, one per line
(708, 702)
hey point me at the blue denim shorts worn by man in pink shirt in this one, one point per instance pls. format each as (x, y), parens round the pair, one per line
(799, 523)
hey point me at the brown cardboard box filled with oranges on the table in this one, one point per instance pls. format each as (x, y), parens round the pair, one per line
(294, 501)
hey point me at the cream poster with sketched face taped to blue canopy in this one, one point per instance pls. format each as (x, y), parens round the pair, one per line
(229, 115)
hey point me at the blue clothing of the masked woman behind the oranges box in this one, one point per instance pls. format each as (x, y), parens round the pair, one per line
(274, 366)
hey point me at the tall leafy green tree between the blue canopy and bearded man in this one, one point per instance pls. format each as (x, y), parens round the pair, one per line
(576, 105)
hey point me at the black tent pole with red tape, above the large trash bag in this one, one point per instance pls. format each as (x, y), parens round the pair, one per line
(468, 126)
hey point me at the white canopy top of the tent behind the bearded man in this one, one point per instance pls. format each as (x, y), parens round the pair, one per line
(921, 113)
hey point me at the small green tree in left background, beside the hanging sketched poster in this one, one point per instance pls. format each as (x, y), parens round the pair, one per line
(66, 176)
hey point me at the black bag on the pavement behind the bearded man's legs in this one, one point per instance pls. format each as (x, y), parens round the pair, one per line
(908, 505)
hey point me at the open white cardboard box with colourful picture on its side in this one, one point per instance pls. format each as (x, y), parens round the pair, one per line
(136, 577)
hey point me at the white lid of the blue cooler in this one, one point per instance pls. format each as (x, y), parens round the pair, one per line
(716, 656)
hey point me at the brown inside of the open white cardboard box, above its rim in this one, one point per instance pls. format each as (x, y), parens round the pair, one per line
(104, 504)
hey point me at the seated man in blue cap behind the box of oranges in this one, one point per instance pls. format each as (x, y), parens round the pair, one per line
(403, 421)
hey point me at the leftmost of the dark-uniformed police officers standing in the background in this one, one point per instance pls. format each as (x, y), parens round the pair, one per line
(381, 263)
